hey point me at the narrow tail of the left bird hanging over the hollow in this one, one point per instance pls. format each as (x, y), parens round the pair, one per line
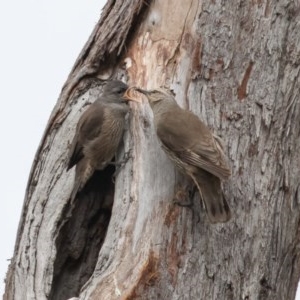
(84, 171)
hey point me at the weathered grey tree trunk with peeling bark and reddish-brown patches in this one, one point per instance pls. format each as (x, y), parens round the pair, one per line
(236, 65)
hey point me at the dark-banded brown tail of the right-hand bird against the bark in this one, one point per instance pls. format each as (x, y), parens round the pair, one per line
(210, 190)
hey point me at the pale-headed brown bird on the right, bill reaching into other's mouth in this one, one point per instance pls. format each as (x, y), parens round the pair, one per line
(193, 148)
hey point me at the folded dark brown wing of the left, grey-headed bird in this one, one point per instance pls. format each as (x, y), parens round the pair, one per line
(88, 128)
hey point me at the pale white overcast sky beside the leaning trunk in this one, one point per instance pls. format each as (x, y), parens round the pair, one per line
(40, 41)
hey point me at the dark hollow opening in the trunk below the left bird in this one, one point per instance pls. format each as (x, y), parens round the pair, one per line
(81, 237)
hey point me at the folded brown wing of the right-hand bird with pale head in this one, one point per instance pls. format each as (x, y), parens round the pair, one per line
(192, 142)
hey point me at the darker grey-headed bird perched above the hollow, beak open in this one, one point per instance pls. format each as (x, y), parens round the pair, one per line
(98, 134)
